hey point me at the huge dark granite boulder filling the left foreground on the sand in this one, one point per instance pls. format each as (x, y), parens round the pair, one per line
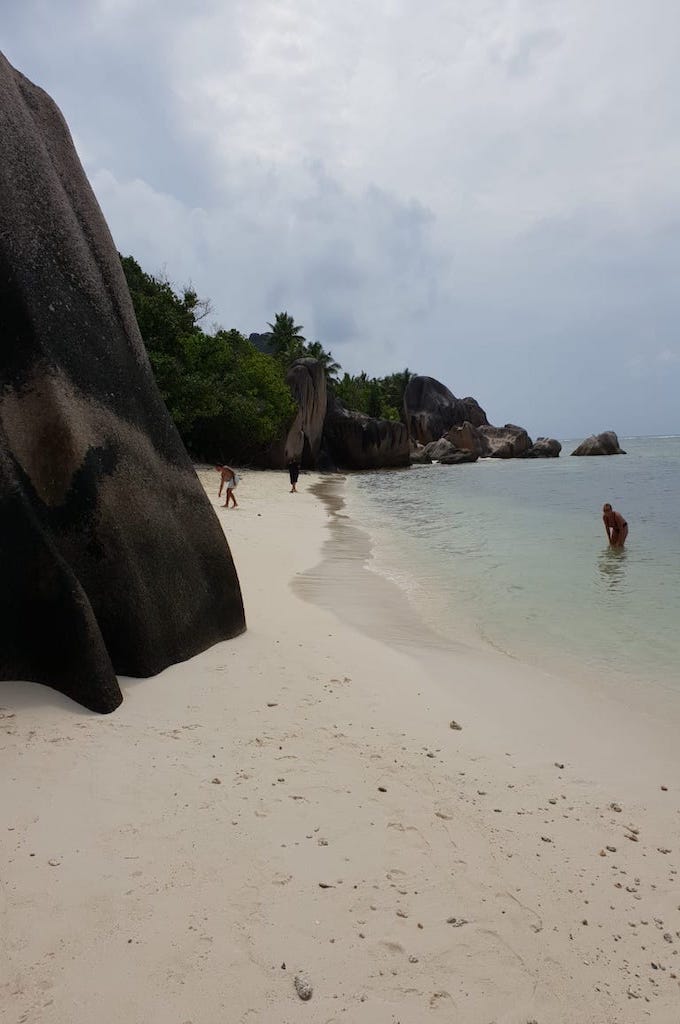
(113, 561)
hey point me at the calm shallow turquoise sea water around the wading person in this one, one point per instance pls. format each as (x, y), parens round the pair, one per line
(515, 556)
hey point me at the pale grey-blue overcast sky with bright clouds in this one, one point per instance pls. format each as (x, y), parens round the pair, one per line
(485, 191)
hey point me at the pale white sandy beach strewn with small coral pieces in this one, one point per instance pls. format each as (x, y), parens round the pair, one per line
(295, 802)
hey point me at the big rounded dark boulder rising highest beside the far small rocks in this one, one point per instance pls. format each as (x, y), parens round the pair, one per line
(431, 410)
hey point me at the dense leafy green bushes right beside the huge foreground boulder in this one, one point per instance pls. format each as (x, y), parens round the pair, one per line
(228, 400)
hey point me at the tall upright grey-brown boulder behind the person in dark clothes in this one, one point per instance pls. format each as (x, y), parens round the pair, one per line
(307, 379)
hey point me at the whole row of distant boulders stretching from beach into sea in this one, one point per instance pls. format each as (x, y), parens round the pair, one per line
(436, 428)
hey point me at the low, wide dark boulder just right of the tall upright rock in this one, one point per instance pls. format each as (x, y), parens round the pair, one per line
(354, 441)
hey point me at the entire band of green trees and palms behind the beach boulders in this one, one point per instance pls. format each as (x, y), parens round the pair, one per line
(227, 397)
